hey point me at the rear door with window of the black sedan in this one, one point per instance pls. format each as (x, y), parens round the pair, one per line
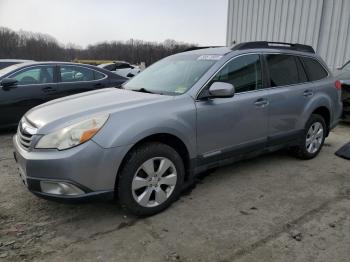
(75, 79)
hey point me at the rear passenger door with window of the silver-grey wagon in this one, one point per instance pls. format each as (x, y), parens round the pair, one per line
(288, 93)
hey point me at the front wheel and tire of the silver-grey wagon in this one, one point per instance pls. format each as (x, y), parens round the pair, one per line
(151, 179)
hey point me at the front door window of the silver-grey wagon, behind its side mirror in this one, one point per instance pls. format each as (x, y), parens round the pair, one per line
(243, 72)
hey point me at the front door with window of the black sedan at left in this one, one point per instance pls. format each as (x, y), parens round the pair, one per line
(36, 85)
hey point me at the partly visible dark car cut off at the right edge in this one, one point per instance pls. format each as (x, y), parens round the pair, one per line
(343, 74)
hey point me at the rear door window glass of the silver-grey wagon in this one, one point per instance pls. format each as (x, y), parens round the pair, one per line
(285, 70)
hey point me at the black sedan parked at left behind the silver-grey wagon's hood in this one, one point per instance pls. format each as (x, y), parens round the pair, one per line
(25, 85)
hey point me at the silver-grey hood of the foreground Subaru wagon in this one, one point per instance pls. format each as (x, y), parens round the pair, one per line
(64, 111)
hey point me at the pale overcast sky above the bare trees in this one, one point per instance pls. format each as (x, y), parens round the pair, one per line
(84, 22)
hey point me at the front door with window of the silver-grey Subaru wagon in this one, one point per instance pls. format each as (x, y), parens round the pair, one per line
(237, 124)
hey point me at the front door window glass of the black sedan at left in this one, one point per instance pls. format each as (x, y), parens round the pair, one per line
(34, 75)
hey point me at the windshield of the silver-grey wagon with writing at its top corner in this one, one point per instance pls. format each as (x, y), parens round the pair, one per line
(174, 75)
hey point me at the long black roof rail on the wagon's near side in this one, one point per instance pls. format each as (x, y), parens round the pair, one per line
(279, 45)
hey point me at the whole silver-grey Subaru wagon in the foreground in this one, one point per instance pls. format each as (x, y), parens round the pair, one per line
(146, 142)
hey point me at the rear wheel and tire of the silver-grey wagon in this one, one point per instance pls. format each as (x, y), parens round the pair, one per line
(307, 150)
